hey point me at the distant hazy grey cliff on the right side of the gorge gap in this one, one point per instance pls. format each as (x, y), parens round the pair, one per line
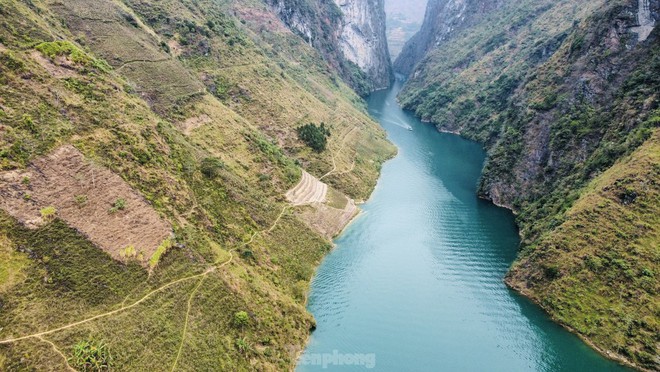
(443, 18)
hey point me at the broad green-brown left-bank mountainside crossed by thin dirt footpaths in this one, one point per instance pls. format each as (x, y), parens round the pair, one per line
(189, 108)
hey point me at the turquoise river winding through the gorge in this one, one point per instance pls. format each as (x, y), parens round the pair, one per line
(416, 281)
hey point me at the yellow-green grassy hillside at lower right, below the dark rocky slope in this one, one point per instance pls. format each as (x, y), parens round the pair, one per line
(597, 272)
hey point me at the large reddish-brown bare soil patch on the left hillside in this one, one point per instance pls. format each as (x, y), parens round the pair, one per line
(90, 198)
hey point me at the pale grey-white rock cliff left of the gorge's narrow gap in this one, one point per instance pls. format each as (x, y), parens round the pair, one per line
(350, 34)
